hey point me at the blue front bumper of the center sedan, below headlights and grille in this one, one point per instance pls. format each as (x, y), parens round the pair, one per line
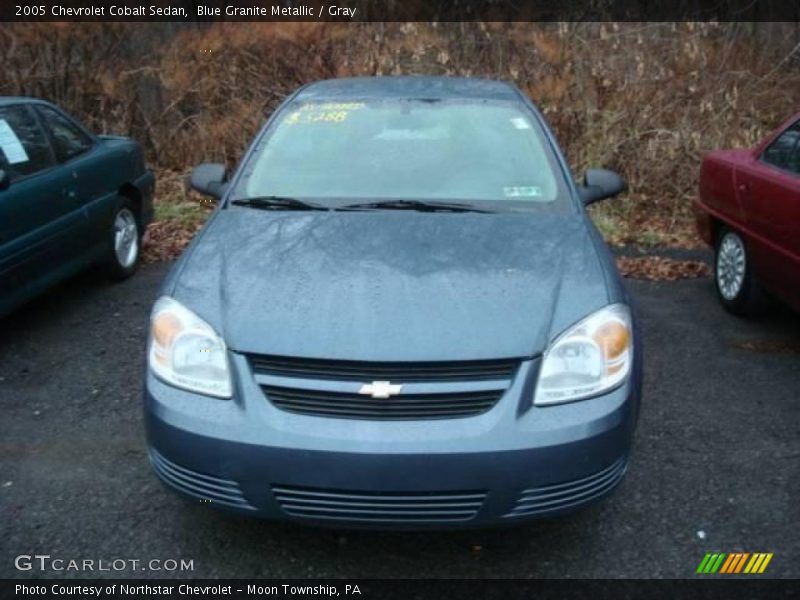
(511, 463)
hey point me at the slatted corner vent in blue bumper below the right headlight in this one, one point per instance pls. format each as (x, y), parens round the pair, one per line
(560, 496)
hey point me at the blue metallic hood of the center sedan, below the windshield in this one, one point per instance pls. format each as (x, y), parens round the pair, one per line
(392, 285)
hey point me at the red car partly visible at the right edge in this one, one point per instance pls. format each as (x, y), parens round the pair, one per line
(749, 212)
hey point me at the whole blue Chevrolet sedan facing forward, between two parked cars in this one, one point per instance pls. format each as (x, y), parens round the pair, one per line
(399, 315)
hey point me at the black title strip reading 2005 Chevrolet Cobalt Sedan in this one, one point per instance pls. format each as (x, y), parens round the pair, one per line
(399, 10)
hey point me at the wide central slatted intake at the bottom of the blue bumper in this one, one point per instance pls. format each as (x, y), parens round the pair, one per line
(387, 507)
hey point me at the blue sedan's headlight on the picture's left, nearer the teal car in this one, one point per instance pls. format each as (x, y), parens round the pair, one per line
(185, 351)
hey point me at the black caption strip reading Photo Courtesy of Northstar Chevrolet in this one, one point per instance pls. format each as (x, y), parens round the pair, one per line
(366, 589)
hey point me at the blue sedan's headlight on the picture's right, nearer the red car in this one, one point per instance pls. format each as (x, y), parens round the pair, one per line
(589, 358)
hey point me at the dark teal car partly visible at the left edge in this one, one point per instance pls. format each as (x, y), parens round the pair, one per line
(69, 199)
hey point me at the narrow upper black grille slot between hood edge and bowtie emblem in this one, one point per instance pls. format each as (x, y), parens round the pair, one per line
(406, 372)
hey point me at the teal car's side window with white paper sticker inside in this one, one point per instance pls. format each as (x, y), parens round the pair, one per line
(24, 150)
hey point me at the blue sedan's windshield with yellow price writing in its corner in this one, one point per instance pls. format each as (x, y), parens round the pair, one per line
(417, 150)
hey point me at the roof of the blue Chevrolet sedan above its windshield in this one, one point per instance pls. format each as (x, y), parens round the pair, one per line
(408, 87)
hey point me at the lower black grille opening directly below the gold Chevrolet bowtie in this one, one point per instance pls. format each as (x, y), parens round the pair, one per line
(402, 407)
